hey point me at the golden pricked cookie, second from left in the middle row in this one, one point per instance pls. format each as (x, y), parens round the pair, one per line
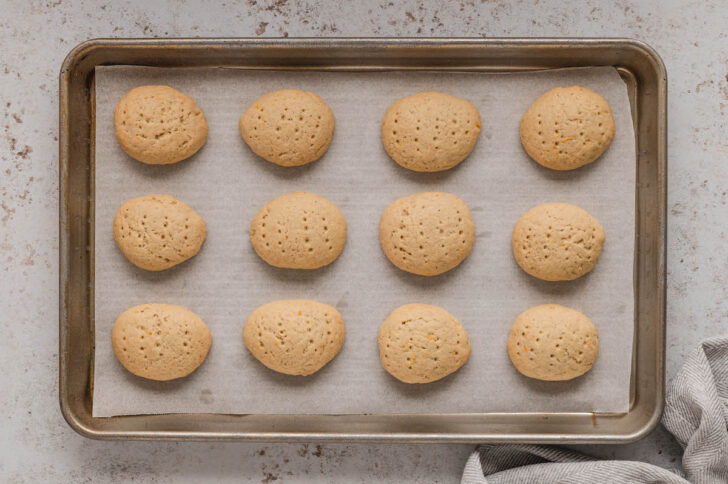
(298, 230)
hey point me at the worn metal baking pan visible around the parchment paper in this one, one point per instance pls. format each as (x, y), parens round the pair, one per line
(645, 77)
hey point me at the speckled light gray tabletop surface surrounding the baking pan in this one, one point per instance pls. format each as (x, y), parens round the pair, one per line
(36, 444)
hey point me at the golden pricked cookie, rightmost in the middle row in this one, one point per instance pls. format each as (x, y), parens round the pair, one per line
(557, 242)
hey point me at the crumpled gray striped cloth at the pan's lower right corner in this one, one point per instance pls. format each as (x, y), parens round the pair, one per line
(696, 413)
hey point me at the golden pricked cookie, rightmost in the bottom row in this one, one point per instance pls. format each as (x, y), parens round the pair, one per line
(552, 342)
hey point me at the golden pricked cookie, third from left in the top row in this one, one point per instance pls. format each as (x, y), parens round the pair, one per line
(430, 131)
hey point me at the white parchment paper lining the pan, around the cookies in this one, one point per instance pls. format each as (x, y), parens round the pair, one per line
(227, 185)
